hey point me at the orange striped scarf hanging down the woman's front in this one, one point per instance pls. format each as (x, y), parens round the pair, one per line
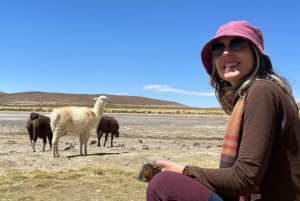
(231, 140)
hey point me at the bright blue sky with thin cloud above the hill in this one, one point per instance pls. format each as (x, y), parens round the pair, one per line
(133, 47)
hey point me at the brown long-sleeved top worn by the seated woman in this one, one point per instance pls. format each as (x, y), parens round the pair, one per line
(269, 152)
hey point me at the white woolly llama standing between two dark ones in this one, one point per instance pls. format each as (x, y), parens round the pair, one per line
(80, 120)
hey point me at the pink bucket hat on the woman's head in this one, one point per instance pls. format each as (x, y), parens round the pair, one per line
(234, 28)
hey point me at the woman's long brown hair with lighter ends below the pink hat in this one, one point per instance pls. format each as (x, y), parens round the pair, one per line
(228, 95)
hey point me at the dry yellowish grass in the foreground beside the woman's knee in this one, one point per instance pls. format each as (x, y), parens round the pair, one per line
(100, 181)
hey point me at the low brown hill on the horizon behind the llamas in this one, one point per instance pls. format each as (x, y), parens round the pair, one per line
(35, 98)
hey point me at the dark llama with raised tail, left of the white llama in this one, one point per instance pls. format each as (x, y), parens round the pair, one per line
(38, 126)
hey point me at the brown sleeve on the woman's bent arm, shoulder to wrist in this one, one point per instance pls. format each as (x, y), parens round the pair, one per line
(260, 120)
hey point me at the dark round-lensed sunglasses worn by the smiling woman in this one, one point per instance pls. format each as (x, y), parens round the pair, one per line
(235, 44)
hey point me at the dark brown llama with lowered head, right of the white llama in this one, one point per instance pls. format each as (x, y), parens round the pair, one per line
(107, 125)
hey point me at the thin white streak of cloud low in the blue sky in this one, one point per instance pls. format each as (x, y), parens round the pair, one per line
(166, 88)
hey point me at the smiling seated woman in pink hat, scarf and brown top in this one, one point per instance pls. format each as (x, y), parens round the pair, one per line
(260, 157)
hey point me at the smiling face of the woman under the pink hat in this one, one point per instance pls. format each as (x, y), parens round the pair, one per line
(234, 65)
